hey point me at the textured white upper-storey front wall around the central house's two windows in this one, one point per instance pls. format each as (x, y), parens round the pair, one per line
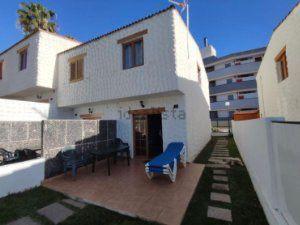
(104, 77)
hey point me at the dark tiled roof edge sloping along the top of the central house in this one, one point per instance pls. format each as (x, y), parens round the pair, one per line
(122, 27)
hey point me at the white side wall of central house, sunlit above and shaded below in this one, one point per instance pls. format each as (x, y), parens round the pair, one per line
(197, 102)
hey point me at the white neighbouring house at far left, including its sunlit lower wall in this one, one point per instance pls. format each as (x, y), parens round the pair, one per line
(27, 73)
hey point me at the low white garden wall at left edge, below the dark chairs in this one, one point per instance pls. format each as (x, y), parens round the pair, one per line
(20, 176)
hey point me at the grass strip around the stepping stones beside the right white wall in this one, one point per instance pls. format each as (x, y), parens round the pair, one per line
(246, 209)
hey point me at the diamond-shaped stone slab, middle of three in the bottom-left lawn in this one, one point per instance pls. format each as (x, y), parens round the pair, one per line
(55, 212)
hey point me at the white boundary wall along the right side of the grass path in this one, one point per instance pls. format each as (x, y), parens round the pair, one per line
(271, 151)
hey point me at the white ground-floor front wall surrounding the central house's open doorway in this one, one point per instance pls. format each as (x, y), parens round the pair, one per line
(173, 127)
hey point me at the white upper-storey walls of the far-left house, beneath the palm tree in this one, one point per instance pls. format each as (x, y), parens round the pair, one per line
(41, 61)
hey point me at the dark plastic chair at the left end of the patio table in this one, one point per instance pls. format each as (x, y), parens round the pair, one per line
(73, 159)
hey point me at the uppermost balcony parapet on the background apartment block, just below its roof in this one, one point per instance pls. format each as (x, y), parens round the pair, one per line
(234, 70)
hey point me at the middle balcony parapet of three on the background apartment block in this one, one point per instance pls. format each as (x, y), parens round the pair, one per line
(236, 86)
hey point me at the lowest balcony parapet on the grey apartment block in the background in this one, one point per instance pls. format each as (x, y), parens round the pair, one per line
(235, 104)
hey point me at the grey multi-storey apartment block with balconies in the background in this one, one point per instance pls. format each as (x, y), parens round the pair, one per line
(231, 80)
